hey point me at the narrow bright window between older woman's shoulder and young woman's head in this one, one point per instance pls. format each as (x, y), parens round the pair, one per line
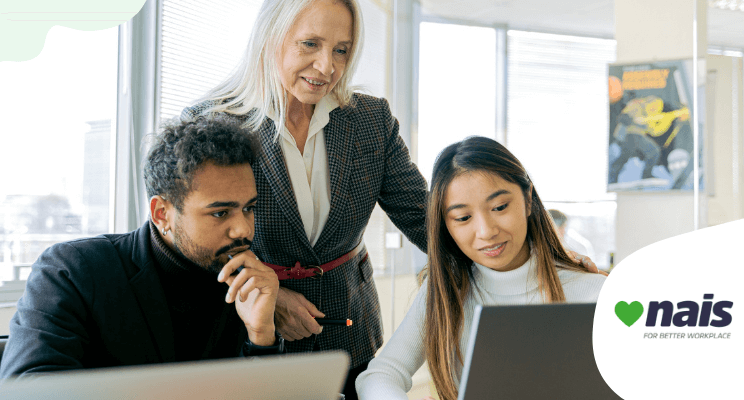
(457, 87)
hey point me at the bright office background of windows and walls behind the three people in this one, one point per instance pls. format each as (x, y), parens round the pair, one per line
(531, 73)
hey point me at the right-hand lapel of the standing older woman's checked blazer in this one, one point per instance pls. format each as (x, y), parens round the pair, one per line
(338, 137)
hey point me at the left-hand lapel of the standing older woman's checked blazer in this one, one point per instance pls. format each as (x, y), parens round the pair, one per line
(275, 171)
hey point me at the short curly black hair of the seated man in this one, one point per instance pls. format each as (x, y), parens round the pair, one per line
(182, 147)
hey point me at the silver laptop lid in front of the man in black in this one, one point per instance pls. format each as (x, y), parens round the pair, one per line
(293, 377)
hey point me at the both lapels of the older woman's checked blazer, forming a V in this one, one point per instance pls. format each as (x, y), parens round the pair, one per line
(339, 136)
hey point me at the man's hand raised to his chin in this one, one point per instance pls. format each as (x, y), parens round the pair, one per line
(256, 287)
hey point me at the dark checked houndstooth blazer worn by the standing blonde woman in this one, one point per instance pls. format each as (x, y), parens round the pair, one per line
(369, 163)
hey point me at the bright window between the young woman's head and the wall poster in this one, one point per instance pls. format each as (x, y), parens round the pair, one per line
(557, 125)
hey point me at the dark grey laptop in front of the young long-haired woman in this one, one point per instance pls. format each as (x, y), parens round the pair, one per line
(532, 352)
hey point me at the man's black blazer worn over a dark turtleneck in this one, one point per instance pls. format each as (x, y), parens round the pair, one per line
(92, 303)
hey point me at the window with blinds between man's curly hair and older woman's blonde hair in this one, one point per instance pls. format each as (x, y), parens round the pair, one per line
(201, 44)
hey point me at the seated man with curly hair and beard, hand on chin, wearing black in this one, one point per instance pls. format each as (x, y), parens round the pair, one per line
(167, 291)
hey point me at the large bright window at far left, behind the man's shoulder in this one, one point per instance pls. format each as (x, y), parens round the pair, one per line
(55, 150)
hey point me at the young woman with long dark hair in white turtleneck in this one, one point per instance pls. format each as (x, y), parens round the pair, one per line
(491, 241)
